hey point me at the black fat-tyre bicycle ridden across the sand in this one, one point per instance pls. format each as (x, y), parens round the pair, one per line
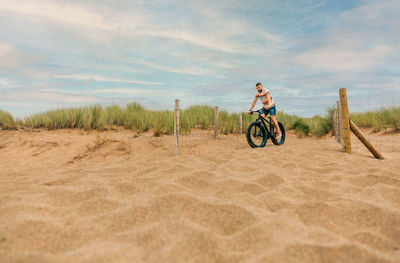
(258, 132)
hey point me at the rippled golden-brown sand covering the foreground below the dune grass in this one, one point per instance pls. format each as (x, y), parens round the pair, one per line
(76, 196)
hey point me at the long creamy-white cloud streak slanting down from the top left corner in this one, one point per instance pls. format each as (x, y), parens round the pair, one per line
(144, 22)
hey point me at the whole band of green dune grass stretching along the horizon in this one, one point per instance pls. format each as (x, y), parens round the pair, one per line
(136, 117)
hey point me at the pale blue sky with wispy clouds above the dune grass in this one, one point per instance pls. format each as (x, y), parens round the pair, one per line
(58, 53)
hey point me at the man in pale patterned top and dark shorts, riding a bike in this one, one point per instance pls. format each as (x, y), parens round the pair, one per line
(269, 106)
